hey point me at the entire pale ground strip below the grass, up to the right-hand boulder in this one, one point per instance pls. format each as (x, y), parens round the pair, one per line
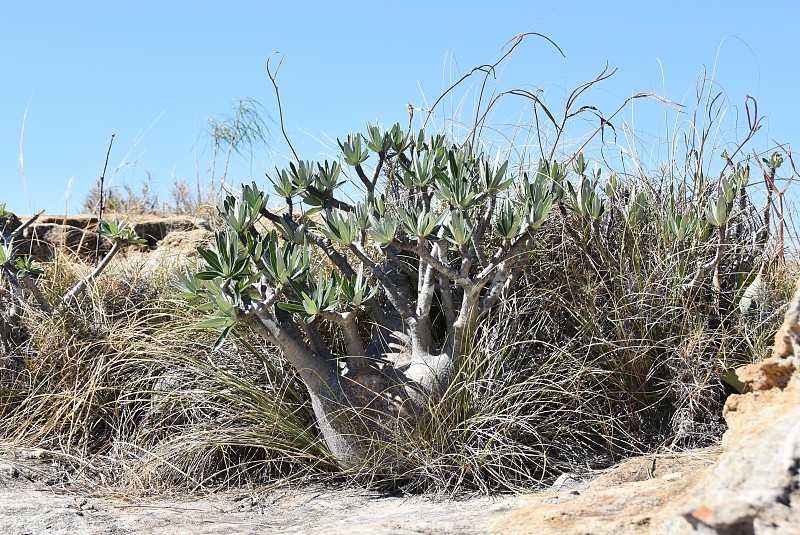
(641, 493)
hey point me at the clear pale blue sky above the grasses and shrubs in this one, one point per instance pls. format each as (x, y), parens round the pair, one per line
(153, 72)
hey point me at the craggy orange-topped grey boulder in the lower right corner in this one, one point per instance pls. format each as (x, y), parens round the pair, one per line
(755, 485)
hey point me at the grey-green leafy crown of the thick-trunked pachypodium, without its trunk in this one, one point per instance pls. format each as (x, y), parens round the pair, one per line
(457, 204)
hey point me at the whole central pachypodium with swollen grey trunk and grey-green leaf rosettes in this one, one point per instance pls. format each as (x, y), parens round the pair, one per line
(372, 301)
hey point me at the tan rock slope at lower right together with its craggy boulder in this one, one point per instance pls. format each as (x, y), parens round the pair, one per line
(749, 485)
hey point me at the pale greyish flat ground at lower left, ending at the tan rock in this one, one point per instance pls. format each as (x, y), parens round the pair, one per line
(34, 500)
